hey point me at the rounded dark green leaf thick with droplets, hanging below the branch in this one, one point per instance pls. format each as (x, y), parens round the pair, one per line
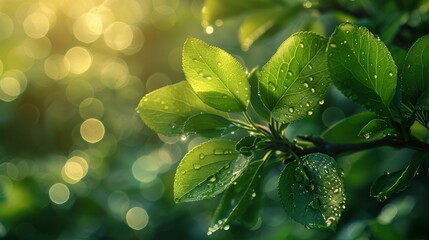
(312, 191)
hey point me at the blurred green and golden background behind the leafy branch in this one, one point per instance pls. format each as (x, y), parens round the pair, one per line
(76, 162)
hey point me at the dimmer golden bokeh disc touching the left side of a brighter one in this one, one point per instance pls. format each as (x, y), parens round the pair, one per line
(57, 67)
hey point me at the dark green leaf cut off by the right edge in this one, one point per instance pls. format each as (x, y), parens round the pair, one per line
(415, 73)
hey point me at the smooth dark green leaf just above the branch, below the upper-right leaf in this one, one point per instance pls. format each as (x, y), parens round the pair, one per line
(349, 129)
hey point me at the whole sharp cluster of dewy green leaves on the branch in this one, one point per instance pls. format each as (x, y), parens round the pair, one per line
(220, 97)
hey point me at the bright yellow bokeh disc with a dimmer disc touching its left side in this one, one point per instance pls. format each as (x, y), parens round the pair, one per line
(80, 59)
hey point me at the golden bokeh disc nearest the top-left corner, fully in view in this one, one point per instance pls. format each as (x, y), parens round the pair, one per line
(36, 25)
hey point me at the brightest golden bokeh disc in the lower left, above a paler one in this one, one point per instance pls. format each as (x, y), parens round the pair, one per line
(74, 169)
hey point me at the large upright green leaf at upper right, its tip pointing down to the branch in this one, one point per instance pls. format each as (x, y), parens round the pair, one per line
(362, 68)
